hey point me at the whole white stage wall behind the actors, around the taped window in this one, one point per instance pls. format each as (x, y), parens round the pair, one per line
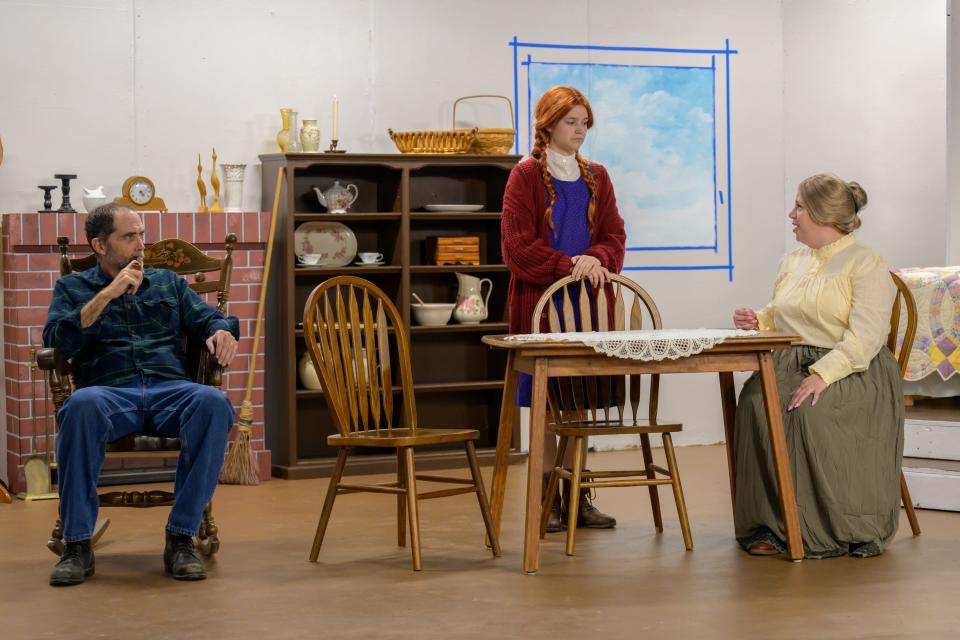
(855, 87)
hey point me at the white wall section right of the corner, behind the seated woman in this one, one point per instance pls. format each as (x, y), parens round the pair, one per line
(865, 97)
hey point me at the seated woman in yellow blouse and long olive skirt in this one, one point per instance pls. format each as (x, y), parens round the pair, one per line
(840, 389)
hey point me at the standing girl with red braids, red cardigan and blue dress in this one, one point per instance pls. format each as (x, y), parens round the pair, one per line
(560, 219)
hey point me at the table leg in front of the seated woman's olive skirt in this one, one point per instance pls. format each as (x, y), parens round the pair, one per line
(781, 461)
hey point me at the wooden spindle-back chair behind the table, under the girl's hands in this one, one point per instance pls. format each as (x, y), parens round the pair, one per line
(582, 406)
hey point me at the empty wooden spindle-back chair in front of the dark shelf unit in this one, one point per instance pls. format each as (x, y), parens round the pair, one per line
(348, 324)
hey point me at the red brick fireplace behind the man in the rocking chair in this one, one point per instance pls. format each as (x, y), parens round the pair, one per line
(30, 268)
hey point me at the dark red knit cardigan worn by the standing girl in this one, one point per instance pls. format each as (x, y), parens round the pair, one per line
(534, 264)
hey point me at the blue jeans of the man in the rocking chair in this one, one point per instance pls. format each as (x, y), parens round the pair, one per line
(201, 416)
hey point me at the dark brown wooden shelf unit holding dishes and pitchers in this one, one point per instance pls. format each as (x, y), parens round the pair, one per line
(458, 381)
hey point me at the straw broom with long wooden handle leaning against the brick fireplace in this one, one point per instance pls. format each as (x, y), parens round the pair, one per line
(240, 466)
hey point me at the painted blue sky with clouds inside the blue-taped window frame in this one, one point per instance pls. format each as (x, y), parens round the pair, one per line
(654, 132)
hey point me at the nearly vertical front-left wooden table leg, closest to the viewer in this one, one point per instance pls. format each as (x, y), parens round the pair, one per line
(538, 415)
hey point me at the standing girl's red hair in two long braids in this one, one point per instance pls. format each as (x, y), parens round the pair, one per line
(553, 105)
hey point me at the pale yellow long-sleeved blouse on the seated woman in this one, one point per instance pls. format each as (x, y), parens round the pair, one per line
(837, 297)
